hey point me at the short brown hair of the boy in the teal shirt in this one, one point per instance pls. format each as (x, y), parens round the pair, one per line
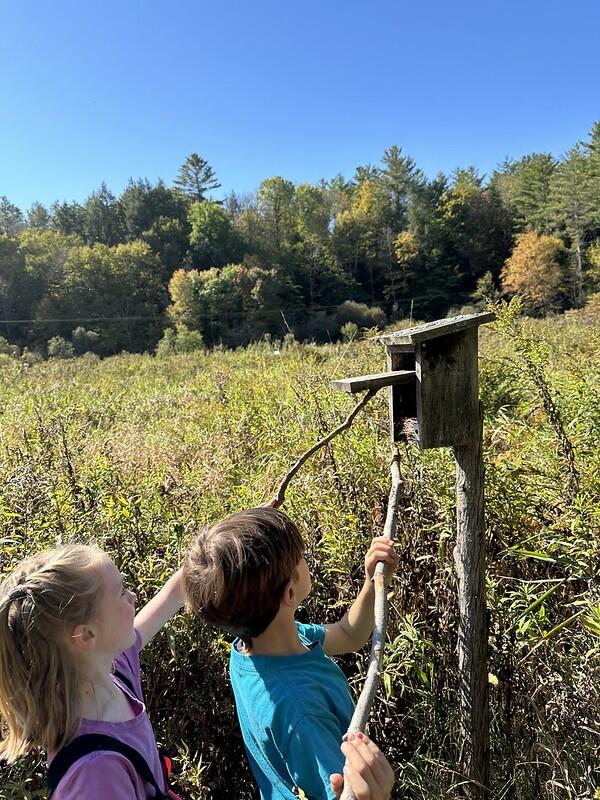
(236, 570)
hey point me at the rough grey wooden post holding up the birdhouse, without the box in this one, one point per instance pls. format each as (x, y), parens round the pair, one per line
(469, 561)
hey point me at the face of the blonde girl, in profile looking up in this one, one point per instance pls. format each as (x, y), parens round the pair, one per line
(113, 623)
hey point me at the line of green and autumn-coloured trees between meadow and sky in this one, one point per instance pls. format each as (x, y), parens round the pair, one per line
(170, 267)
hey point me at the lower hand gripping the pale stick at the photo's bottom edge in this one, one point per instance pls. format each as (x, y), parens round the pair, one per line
(366, 769)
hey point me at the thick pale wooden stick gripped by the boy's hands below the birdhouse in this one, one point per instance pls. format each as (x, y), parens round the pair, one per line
(367, 696)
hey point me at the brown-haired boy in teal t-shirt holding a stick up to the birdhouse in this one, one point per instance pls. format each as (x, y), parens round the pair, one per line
(247, 574)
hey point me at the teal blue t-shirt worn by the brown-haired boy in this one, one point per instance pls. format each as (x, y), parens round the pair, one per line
(293, 711)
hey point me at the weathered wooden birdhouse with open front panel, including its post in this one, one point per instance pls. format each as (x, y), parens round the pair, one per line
(434, 401)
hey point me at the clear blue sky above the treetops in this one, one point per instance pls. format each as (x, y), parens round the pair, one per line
(108, 89)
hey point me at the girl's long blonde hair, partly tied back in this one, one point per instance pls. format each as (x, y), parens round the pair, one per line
(41, 601)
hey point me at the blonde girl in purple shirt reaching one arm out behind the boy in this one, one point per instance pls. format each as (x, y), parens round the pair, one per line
(69, 666)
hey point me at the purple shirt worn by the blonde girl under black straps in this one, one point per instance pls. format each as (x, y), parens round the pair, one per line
(100, 775)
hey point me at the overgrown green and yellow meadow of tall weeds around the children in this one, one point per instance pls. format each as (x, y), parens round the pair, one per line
(136, 451)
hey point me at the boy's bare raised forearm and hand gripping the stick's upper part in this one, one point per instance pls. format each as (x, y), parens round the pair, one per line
(356, 626)
